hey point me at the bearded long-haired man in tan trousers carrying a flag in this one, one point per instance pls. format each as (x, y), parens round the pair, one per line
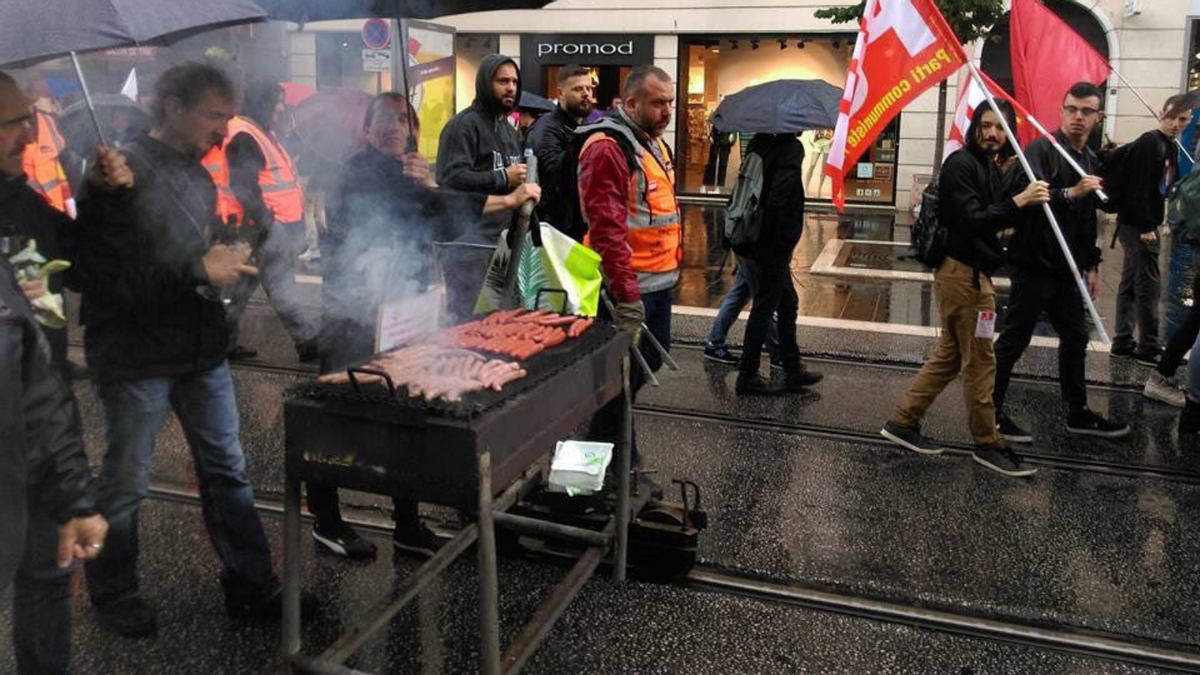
(975, 205)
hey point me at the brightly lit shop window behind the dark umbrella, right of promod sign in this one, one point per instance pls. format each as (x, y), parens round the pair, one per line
(717, 68)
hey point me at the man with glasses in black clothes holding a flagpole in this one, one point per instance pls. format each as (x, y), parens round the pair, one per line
(1042, 279)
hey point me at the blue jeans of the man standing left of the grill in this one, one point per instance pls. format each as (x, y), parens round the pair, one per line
(208, 414)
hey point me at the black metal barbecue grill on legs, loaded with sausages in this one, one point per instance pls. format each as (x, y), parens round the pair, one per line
(477, 456)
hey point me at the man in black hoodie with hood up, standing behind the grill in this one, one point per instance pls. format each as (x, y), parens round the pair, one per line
(481, 152)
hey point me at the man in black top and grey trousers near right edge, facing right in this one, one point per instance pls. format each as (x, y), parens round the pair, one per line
(1143, 172)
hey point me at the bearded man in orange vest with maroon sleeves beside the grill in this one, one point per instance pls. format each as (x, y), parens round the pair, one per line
(627, 190)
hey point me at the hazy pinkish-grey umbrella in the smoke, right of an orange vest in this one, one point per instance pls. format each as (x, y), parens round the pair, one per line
(331, 123)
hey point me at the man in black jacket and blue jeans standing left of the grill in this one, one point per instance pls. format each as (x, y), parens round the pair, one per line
(152, 270)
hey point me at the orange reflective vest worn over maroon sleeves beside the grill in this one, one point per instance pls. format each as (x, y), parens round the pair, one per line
(653, 217)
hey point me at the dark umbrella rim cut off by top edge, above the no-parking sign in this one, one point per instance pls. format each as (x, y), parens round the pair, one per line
(303, 11)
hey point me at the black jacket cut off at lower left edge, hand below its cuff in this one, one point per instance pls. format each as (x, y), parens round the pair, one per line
(43, 464)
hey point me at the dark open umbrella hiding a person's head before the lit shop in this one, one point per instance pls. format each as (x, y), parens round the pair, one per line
(784, 106)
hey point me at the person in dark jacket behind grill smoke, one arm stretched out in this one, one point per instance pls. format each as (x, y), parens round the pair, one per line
(385, 216)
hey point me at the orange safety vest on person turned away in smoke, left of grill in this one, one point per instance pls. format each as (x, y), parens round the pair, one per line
(278, 181)
